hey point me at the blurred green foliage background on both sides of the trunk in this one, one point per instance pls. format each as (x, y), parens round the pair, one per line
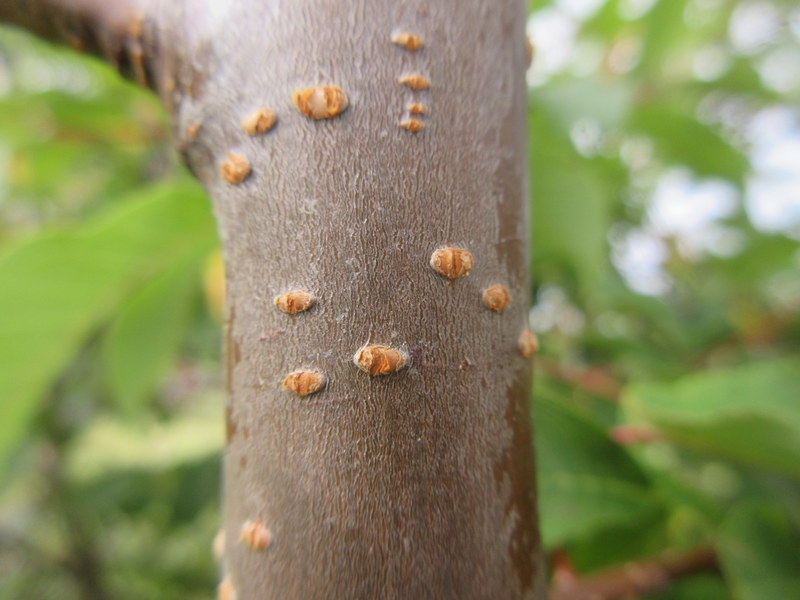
(665, 163)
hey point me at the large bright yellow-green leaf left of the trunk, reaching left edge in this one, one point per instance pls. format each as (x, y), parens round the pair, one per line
(57, 287)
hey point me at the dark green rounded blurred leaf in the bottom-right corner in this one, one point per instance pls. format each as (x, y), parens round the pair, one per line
(759, 550)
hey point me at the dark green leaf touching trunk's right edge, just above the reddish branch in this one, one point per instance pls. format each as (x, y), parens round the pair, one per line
(586, 481)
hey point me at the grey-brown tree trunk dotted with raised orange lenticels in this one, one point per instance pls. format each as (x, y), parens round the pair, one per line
(418, 482)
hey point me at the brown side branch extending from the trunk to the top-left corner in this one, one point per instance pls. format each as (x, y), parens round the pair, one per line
(119, 31)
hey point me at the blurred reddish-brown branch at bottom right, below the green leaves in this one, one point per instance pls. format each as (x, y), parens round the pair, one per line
(635, 578)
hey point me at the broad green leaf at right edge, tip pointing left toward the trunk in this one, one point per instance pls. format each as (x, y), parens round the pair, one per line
(749, 414)
